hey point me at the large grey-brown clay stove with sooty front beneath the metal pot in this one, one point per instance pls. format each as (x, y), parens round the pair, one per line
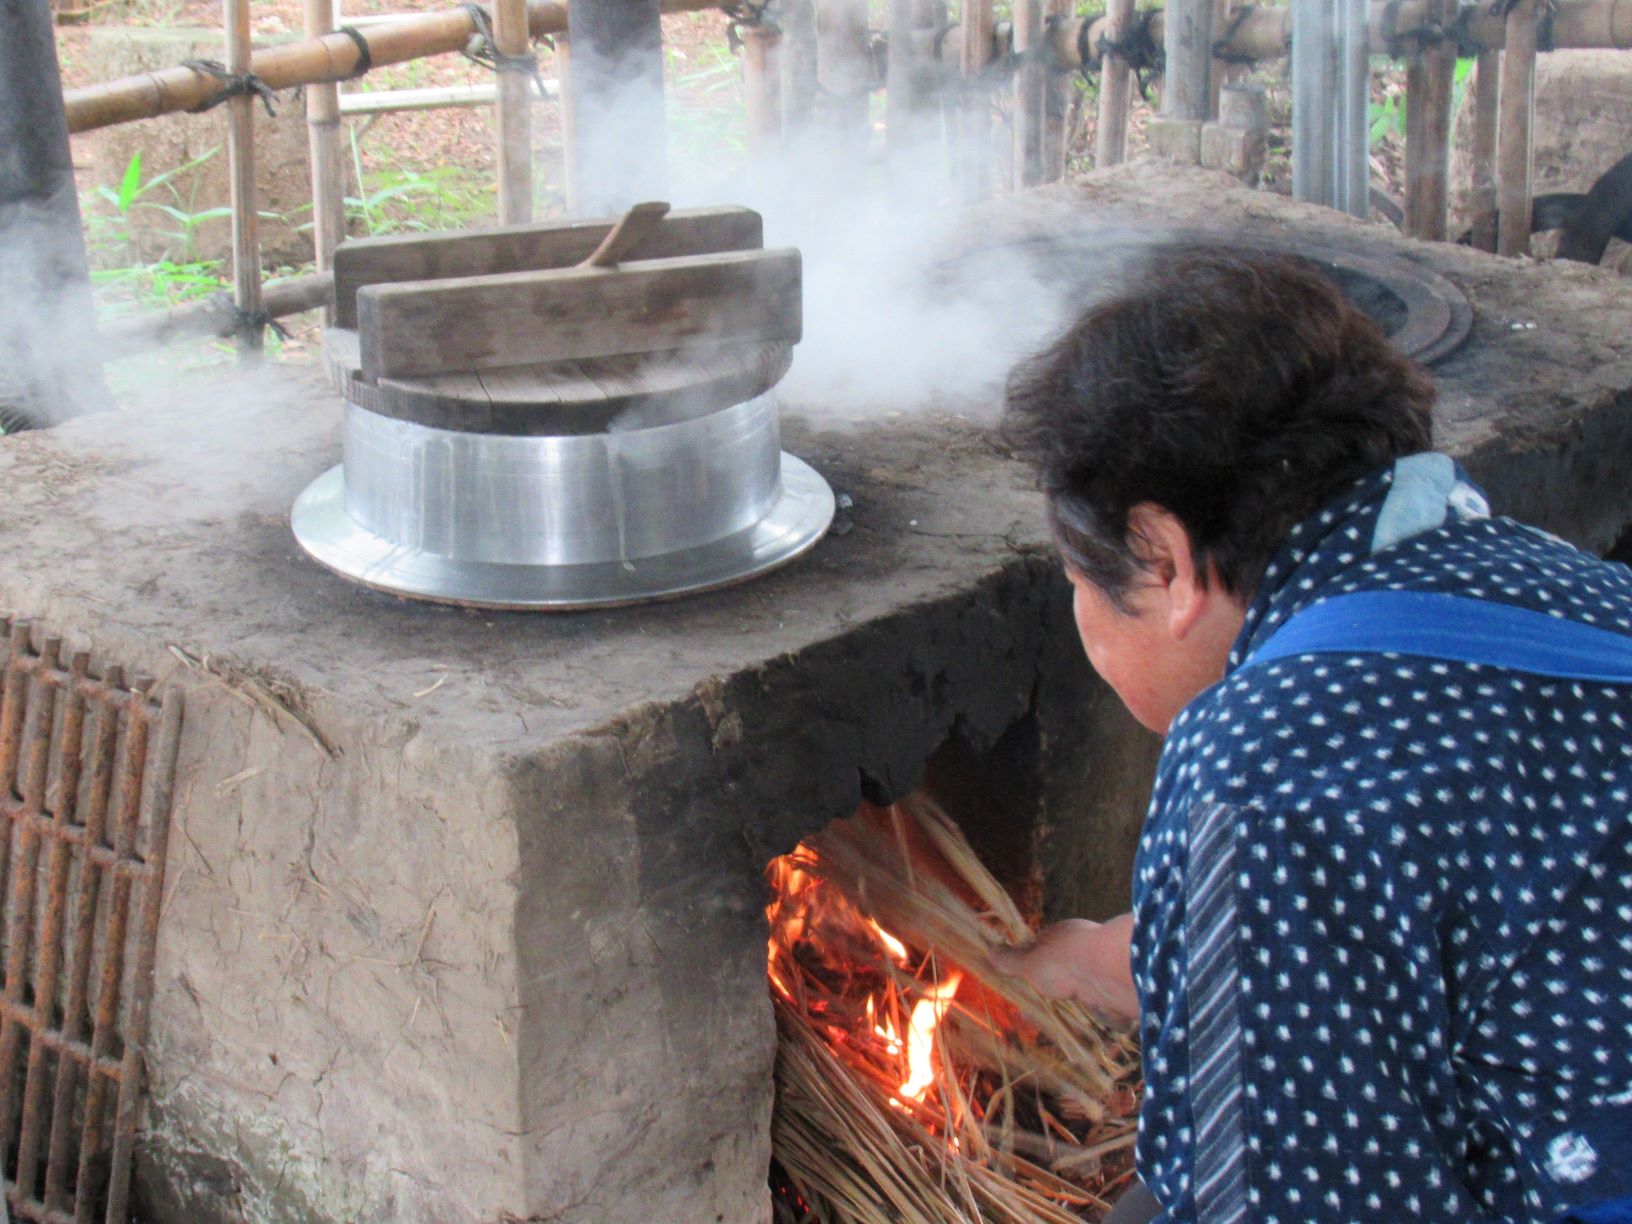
(464, 910)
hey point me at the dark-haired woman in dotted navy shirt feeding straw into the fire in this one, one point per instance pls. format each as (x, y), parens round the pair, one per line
(1381, 941)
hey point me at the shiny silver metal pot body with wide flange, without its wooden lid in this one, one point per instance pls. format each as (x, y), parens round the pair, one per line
(559, 523)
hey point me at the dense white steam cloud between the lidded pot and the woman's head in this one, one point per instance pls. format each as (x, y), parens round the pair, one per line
(905, 306)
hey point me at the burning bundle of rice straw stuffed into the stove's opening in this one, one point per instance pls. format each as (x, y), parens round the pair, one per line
(882, 921)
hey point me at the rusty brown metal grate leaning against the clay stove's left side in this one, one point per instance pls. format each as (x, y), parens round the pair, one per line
(87, 774)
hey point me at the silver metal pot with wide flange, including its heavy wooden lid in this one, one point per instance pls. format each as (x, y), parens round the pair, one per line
(538, 422)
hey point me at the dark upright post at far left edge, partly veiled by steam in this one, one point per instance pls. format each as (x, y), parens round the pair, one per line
(48, 361)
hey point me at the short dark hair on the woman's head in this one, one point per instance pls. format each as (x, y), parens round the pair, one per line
(1236, 389)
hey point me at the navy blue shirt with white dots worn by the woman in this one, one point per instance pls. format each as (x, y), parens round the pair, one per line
(1385, 903)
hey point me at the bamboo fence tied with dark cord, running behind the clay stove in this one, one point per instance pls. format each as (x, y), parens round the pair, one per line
(814, 61)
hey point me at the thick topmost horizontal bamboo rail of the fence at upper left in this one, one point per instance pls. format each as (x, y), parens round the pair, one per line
(308, 63)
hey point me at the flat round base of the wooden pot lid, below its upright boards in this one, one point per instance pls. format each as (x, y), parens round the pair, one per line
(565, 397)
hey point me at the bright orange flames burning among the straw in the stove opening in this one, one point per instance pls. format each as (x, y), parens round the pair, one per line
(812, 923)
